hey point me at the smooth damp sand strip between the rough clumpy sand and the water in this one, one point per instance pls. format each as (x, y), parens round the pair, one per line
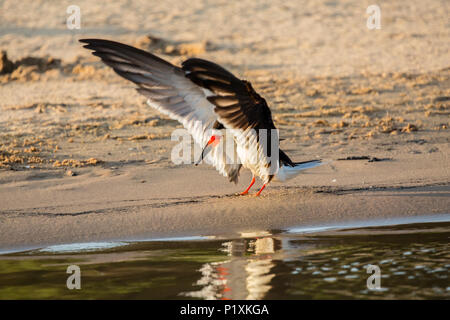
(105, 204)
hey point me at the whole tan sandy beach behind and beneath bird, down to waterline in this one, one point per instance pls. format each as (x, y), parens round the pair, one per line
(83, 158)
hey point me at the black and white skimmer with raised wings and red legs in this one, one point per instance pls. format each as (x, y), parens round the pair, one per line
(207, 100)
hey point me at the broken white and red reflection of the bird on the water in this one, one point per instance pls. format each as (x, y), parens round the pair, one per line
(240, 277)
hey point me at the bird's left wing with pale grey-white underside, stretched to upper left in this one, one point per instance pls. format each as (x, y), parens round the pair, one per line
(169, 91)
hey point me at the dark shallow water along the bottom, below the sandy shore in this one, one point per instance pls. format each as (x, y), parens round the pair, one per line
(301, 263)
